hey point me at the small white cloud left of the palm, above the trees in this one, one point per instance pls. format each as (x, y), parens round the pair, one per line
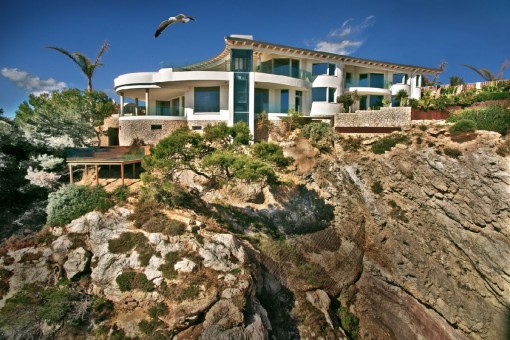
(31, 83)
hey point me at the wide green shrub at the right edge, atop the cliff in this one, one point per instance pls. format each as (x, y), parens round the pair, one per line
(492, 118)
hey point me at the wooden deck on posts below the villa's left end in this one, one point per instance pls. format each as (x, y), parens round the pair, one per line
(110, 156)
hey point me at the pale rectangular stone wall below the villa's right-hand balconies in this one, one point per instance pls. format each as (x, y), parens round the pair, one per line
(385, 117)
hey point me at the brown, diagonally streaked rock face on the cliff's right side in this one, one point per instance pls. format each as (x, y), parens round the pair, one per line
(428, 255)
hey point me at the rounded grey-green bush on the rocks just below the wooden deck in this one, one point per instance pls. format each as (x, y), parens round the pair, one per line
(73, 201)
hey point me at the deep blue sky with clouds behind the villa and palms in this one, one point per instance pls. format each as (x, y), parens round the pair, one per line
(411, 32)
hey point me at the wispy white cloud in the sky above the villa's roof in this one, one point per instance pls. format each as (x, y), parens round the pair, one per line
(347, 39)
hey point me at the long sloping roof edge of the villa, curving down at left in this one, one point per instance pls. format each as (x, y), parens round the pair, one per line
(232, 42)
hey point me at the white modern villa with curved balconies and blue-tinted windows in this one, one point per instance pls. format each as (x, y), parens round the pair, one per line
(250, 77)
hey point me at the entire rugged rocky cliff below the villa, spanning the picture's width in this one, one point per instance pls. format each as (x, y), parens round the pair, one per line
(413, 243)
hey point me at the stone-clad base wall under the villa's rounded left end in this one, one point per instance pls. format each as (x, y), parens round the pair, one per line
(150, 130)
